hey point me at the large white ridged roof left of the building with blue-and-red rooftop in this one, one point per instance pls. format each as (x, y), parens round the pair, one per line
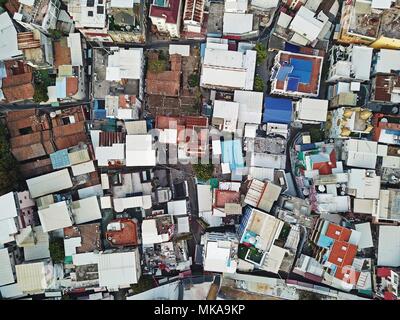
(229, 70)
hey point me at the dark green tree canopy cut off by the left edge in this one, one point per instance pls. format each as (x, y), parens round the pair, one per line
(9, 172)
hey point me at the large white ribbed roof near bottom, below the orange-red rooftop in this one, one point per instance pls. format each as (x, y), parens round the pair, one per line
(119, 269)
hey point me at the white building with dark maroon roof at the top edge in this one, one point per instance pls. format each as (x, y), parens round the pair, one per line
(166, 16)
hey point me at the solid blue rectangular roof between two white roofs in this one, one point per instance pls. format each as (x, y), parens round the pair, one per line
(277, 110)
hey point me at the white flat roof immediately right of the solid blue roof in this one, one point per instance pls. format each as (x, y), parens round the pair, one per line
(311, 110)
